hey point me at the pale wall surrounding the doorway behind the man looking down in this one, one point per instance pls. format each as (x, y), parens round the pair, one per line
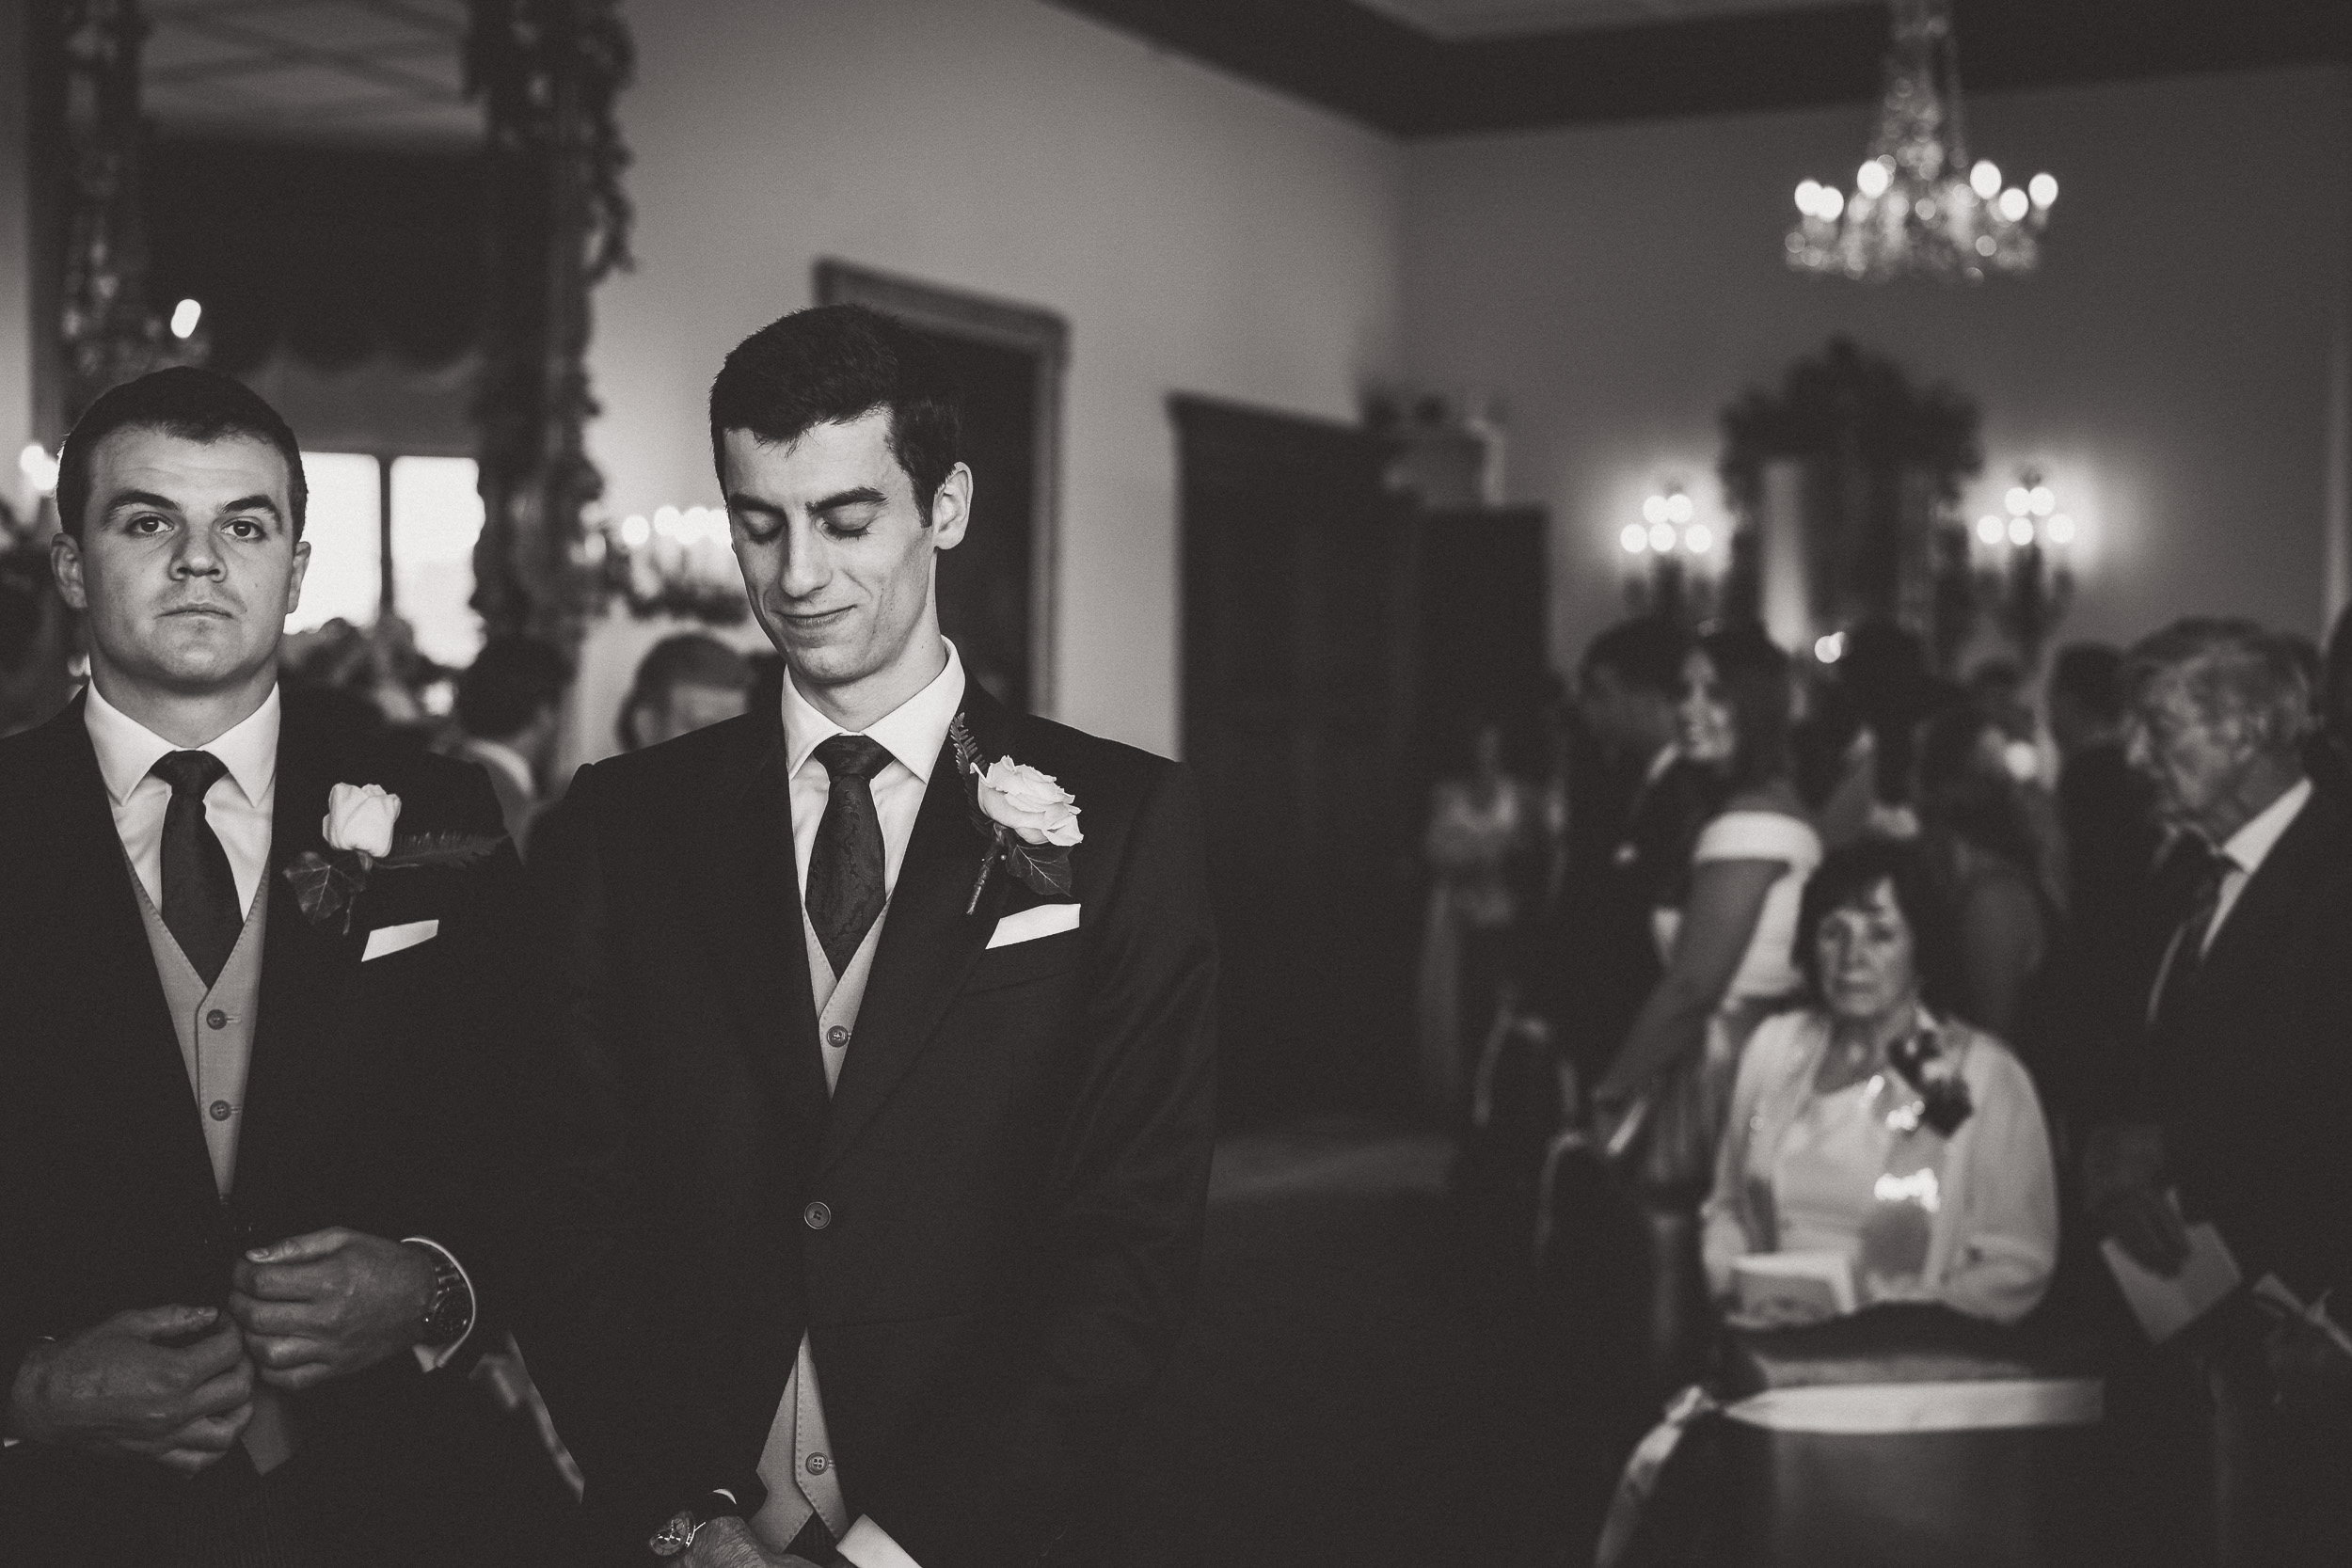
(1196, 232)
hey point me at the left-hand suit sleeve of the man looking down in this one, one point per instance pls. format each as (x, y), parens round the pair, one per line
(587, 1247)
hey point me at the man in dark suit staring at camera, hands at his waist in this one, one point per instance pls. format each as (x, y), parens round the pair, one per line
(243, 1146)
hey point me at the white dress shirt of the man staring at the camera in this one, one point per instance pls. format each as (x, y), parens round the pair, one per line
(239, 808)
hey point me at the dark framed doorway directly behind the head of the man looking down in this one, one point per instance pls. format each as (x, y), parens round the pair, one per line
(996, 589)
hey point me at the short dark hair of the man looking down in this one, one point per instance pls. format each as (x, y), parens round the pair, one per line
(834, 366)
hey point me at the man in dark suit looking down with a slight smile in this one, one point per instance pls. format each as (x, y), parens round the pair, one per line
(895, 1080)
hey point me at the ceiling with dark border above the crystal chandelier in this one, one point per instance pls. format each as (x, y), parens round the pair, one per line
(1455, 67)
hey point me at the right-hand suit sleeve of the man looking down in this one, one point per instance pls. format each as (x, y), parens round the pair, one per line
(1017, 1430)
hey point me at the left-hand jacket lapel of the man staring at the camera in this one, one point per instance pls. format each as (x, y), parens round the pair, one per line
(131, 1017)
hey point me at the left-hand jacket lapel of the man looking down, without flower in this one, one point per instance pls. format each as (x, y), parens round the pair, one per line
(754, 906)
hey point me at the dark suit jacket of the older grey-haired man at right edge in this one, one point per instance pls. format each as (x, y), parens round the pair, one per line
(2252, 1076)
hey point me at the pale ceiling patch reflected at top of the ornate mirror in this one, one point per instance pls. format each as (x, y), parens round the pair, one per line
(356, 72)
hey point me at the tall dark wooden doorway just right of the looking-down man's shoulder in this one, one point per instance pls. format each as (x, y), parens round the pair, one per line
(1297, 716)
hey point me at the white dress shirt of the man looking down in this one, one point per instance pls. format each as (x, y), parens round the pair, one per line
(914, 737)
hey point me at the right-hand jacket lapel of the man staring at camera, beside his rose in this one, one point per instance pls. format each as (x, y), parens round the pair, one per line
(298, 1057)
